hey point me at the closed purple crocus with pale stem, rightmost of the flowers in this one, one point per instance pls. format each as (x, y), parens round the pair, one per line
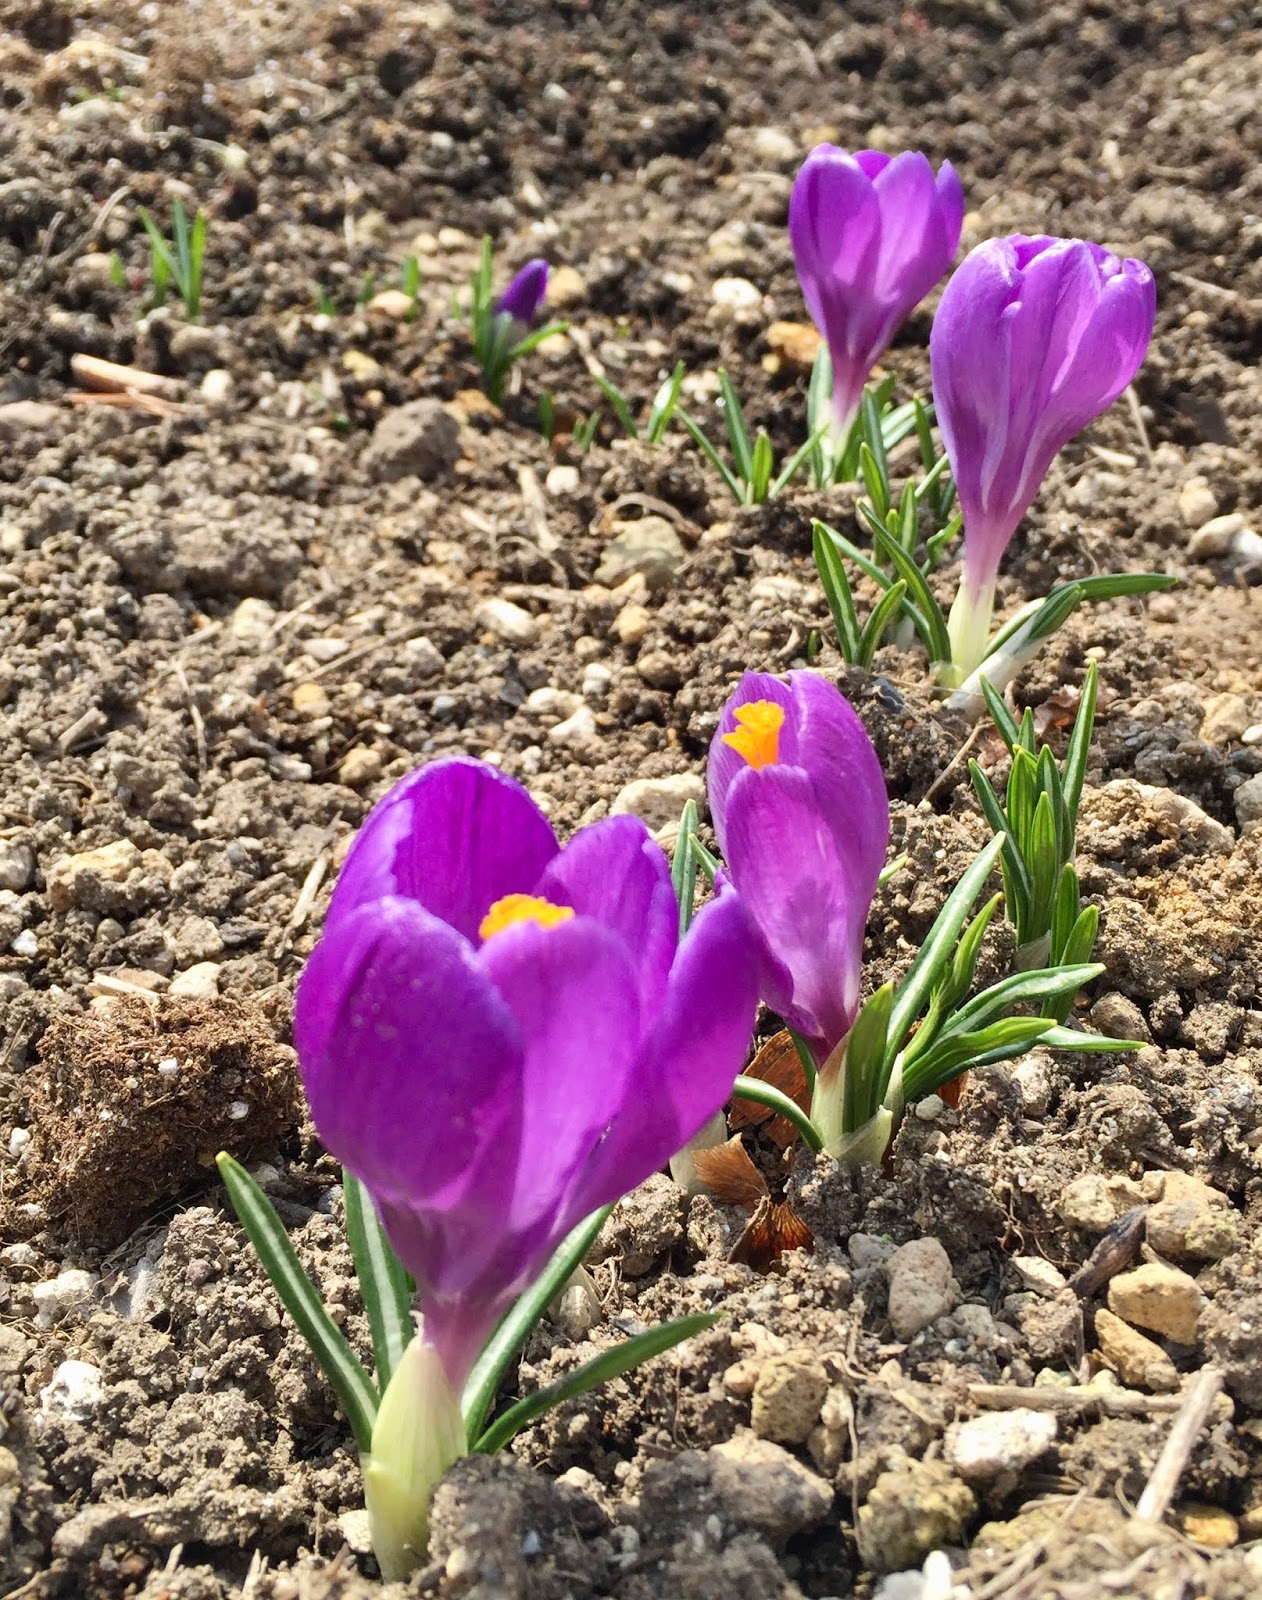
(1032, 340)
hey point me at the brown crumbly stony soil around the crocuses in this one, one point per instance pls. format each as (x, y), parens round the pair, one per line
(233, 617)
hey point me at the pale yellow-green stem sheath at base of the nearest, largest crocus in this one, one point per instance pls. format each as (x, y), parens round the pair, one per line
(417, 1438)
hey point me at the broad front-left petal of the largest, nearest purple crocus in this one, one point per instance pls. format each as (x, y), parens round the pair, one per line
(412, 1065)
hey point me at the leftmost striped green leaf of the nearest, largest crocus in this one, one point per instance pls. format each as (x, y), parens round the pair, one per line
(327, 1342)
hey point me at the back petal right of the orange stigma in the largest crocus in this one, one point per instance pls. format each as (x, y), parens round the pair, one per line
(617, 873)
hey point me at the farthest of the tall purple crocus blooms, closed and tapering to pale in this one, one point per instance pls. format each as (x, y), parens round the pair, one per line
(873, 234)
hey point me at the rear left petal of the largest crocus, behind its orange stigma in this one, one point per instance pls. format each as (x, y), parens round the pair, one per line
(455, 838)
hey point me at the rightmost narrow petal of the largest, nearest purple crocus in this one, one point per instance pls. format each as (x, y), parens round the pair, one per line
(689, 1062)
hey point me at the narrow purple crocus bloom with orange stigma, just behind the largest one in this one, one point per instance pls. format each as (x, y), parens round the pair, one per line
(804, 822)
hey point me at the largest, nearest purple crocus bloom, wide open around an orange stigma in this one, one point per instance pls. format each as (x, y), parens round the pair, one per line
(500, 1036)
